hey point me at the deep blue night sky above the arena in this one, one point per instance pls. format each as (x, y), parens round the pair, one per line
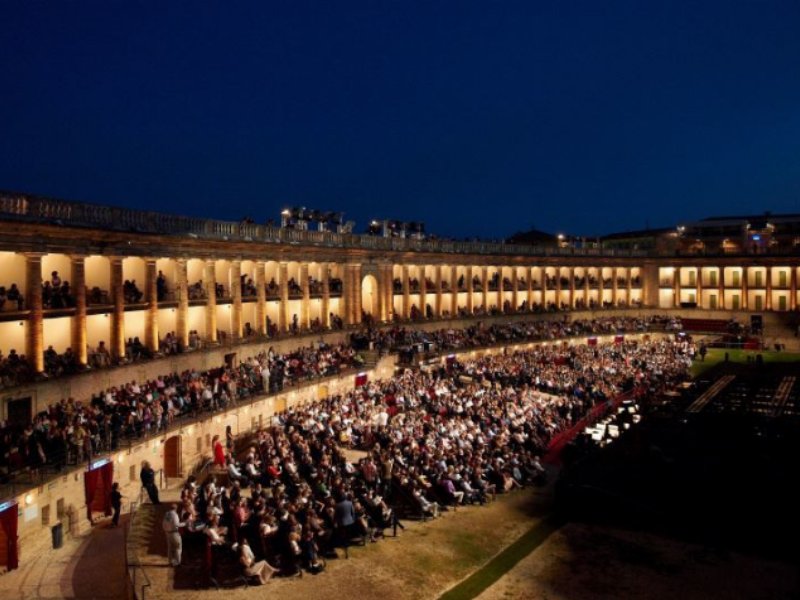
(479, 118)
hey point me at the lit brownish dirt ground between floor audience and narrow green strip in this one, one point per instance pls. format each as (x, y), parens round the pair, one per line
(422, 562)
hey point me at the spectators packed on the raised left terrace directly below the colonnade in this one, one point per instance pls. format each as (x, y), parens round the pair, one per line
(73, 430)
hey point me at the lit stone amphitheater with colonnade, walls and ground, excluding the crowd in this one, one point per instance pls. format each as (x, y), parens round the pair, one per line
(153, 294)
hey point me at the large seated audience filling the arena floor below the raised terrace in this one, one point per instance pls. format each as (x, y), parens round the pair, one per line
(428, 441)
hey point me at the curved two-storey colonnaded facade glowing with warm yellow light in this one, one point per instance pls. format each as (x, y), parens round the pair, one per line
(134, 274)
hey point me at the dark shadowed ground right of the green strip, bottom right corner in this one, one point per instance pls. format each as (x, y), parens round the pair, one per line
(582, 561)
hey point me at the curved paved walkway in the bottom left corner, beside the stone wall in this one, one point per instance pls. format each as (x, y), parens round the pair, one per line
(91, 566)
